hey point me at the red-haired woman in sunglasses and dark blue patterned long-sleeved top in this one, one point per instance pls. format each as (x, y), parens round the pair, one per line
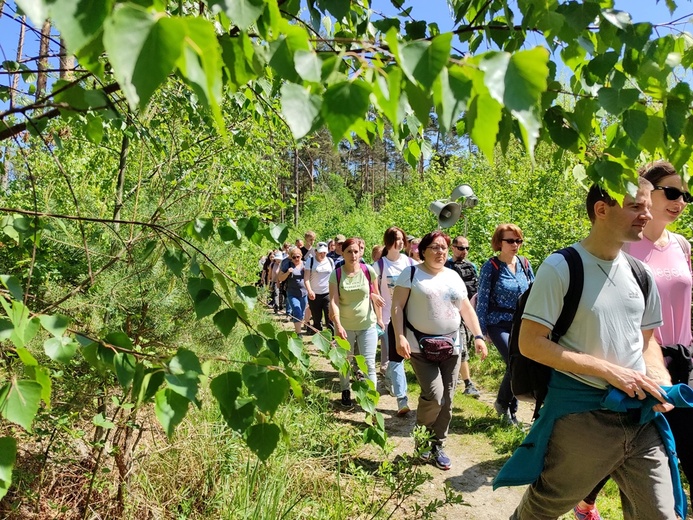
(502, 280)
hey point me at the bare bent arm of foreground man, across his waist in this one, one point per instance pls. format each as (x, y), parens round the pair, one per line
(536, 345)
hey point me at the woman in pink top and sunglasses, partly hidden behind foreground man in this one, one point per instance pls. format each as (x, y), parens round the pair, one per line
(669, 256)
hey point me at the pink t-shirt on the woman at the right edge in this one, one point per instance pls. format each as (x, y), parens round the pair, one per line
(672, 272)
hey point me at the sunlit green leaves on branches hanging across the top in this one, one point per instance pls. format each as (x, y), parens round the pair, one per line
(349, 68)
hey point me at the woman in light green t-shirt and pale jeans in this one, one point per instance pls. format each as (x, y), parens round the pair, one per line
(353, 315)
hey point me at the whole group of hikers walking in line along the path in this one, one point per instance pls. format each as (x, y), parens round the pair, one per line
(617, 399)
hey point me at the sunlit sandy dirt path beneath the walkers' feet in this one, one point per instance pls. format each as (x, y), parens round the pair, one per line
(474, 460)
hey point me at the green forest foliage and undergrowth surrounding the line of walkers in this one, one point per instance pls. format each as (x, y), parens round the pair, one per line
(153, 151)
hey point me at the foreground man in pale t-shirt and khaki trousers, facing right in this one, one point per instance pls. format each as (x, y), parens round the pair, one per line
(609, 344)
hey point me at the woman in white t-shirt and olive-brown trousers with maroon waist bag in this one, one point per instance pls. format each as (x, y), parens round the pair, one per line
(435, 299)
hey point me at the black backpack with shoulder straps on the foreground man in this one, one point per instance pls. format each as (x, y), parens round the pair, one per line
(529, 379)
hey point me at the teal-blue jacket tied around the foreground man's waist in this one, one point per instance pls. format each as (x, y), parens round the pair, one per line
(568, 395)
